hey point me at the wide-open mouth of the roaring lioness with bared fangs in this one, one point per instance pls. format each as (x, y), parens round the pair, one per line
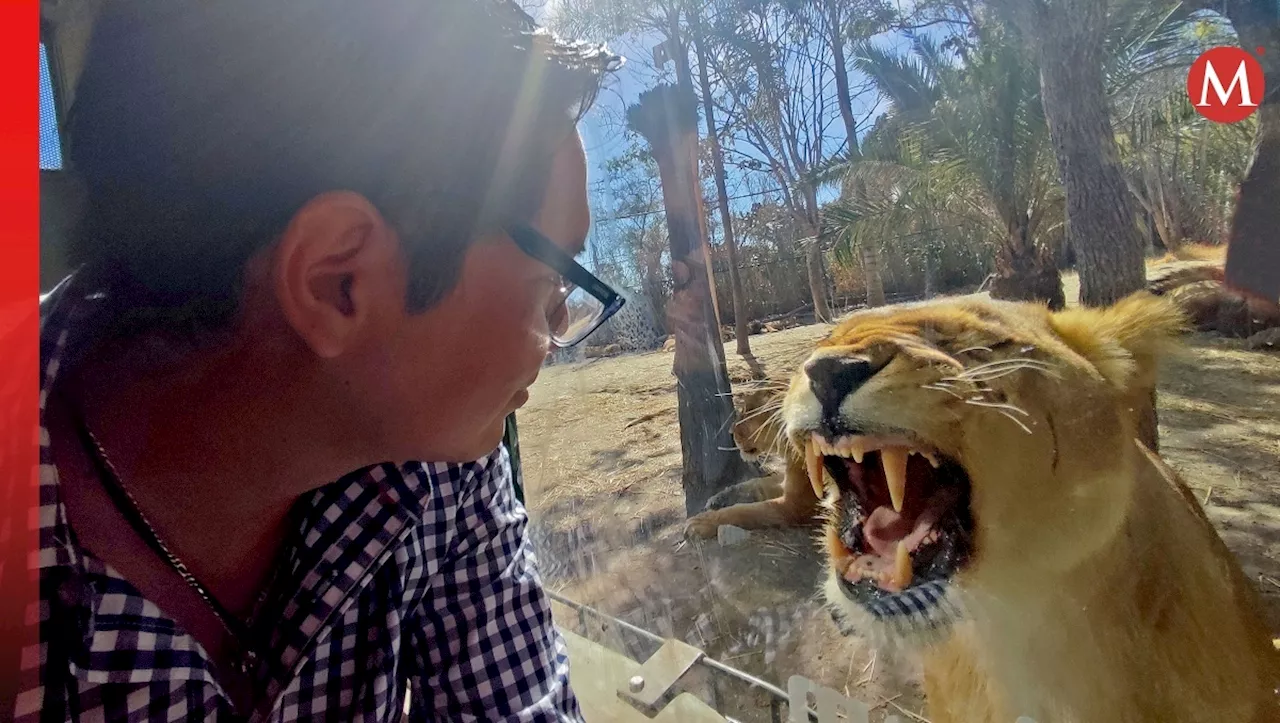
(902, 524)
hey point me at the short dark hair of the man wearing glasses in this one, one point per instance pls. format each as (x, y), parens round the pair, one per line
(200, 127)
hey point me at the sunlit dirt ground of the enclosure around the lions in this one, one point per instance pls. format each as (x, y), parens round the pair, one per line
(601, 452)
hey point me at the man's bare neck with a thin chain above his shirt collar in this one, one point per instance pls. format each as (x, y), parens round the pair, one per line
(216, 454)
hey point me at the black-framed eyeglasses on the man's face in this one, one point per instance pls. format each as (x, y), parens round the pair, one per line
(583, 303)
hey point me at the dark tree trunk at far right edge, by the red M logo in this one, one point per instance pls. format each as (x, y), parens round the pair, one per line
(1254, 257)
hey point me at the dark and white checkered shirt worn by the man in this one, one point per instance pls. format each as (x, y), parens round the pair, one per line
(415, 579)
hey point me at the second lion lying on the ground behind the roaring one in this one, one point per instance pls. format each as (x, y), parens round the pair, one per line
(764, 502)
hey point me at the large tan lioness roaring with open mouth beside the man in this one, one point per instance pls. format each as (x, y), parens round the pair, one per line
(990, 506)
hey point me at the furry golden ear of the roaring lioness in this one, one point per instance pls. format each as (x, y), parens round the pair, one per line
(1123, 341)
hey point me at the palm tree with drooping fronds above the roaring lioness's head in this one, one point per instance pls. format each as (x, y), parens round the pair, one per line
(963, 145)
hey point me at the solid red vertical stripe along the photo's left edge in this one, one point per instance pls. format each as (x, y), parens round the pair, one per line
(20, 324)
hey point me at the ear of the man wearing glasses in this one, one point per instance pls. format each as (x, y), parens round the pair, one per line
(335, 269)
